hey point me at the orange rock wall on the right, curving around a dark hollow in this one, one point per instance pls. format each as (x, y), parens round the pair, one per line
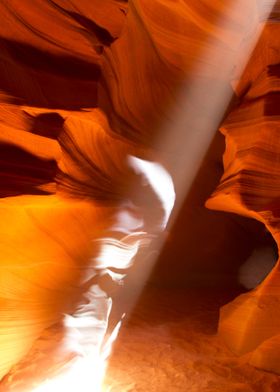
(250, 187)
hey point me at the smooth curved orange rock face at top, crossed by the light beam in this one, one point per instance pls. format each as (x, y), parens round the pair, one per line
(165, 46)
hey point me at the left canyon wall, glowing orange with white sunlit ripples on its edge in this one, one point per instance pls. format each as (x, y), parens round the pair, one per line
(73, 217)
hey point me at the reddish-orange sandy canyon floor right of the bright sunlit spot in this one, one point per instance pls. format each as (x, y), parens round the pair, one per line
(170, 344)
